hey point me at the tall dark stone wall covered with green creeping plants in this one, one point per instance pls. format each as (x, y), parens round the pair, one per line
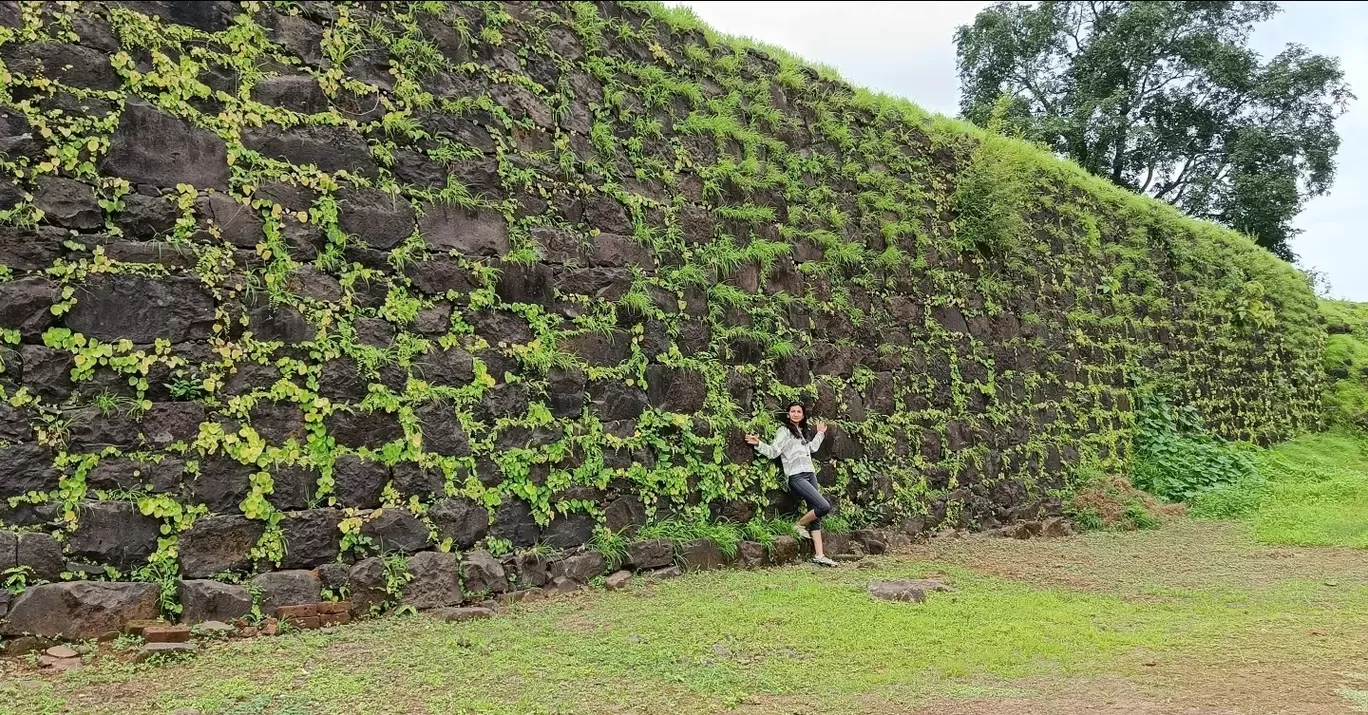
(284, 289)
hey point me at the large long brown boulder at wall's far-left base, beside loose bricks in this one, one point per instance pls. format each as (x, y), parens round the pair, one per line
(80, 610)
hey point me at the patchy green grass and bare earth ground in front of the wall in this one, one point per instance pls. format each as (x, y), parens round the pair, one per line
(1261, 612)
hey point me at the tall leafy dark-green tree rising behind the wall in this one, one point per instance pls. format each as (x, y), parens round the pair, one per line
(1166, 99)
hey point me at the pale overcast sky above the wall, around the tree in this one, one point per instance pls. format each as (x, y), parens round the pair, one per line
(909, 50)
